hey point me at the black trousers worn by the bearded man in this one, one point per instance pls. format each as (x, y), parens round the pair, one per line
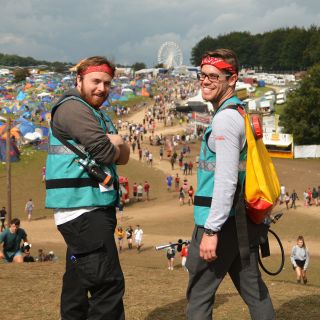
(93, 284)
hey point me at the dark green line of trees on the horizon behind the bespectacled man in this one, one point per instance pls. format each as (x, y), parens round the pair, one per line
(284, 49)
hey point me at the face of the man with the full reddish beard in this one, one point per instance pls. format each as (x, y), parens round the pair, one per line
(94, 87)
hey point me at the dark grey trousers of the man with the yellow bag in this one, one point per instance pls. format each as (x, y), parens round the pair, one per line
(205, 278)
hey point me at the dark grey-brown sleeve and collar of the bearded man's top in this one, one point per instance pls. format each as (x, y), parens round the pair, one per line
(74, 120)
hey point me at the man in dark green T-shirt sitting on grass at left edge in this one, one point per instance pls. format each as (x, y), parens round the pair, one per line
(11, 239)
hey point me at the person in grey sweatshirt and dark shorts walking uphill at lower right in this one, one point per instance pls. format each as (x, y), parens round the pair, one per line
(300, 260)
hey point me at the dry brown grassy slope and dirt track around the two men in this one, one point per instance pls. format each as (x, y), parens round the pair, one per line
(153, 292)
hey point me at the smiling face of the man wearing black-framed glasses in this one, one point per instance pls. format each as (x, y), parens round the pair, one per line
(215, 85)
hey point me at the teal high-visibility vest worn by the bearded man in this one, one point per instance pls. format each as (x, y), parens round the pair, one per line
(68, 185)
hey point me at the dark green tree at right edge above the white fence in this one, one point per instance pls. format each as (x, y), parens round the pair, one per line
(301, 116)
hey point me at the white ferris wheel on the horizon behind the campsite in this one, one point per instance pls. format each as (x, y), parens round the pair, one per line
(170, 55)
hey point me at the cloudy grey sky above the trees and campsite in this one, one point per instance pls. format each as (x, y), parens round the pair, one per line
(131, 31)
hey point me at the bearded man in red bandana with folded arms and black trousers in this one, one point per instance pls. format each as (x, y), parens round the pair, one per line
(85, 207)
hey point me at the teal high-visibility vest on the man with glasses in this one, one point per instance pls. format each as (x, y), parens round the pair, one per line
(206, 172)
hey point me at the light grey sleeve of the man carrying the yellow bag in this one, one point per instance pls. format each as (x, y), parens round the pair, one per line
(226, 140)
